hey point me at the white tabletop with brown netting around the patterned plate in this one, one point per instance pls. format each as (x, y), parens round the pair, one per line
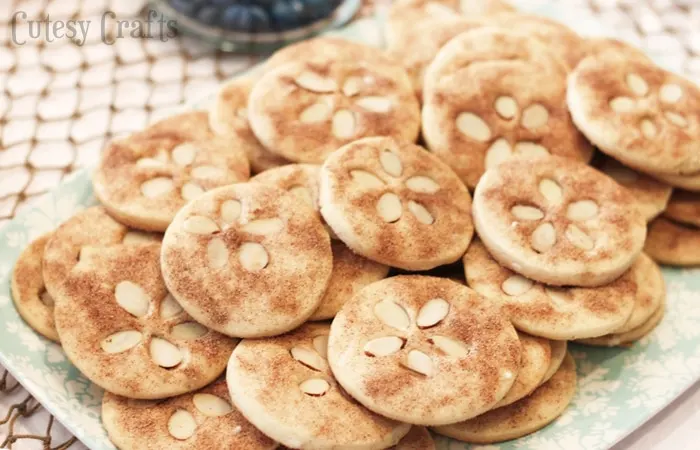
(60, 103)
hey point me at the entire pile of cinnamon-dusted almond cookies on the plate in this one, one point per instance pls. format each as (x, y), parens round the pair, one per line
(315, 305)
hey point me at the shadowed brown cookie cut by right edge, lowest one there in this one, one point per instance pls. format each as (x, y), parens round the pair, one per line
(672, 243)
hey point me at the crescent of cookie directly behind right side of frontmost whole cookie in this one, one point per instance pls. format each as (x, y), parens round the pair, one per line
(536, 357)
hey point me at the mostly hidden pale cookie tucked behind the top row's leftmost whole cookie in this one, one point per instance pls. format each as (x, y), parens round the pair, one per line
(228, 115)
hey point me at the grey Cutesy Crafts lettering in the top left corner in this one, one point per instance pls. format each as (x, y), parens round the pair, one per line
(108, 28)
